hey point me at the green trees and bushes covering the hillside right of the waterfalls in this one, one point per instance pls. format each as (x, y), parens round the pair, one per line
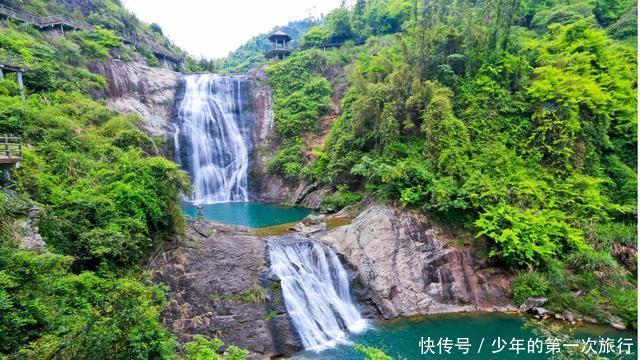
(515, 119)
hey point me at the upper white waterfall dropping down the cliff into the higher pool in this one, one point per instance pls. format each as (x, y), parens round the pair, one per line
(213, 138)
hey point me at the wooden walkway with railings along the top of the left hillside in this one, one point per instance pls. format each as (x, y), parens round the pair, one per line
(59, 22)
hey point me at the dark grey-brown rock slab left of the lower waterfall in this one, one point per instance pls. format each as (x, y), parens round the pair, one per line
(220, 287)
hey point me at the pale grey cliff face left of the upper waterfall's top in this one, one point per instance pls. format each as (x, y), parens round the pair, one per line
(146, 91)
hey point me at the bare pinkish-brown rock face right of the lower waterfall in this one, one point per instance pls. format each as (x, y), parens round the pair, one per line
(406, 268)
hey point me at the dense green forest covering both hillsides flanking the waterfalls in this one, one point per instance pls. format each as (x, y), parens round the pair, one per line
(515, 120)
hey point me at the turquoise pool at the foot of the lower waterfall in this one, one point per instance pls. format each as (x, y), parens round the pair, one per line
(401, 339)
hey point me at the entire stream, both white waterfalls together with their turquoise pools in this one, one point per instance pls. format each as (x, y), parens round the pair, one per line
(213, 141)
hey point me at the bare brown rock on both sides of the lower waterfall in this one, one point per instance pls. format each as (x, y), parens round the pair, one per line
(401, 264)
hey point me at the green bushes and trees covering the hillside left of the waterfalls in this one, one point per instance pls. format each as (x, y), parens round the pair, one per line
(107, 201)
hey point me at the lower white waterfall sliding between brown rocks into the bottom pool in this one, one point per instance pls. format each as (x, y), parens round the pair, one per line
(316, 293)
